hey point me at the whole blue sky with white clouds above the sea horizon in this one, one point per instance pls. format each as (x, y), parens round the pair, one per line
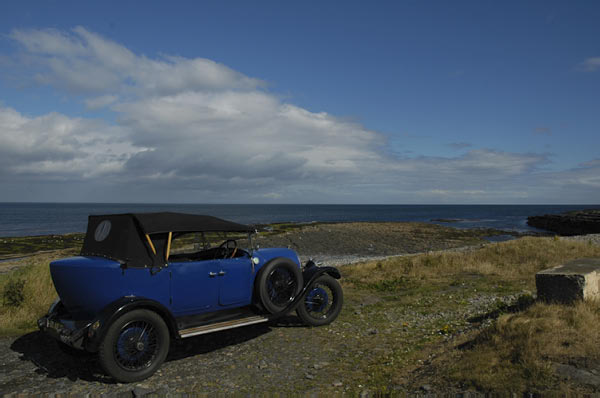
(391, 102)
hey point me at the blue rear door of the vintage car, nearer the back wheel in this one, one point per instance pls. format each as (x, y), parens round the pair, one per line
(194, 286)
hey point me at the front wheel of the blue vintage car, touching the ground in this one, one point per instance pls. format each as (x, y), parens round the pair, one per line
(322, 303)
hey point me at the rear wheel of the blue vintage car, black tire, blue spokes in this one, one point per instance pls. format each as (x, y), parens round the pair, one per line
(135, 346)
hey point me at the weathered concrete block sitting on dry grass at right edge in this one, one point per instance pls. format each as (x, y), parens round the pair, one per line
(575, 280)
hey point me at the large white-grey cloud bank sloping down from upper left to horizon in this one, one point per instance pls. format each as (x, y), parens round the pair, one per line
(196, 130)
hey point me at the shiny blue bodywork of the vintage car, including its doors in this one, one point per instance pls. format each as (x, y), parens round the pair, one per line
(87, 284)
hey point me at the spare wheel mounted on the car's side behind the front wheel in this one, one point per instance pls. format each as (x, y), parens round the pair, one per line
(280, 280)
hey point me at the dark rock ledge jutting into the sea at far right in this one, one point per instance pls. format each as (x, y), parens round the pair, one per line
(578, 222)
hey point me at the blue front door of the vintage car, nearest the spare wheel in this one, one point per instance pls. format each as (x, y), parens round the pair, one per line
(236, 281)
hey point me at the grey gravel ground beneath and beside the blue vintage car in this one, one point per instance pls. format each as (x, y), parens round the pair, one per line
(283, 356)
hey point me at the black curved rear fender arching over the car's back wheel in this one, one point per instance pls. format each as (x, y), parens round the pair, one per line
(98, 328)
